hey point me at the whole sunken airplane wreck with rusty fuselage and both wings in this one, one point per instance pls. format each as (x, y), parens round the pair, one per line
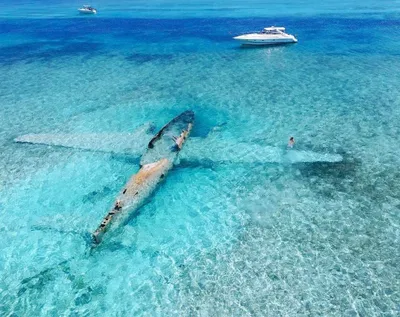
(160, 154)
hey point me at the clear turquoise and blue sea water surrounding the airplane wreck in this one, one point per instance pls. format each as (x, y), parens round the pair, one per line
(216, 239)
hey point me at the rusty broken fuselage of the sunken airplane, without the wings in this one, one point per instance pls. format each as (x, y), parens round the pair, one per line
(155, 163)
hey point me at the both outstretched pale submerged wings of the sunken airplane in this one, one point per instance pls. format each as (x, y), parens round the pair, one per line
(212, 149)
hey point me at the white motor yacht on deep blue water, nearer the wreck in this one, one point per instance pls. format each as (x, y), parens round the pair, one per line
(268, 36)
